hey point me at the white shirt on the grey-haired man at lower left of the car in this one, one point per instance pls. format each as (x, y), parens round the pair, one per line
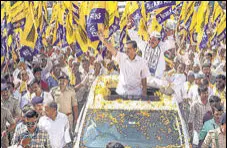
(58, 129)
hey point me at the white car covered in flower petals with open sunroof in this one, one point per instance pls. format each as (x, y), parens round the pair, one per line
(133, 121)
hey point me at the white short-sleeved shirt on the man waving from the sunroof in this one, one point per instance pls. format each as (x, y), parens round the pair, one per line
(131, 74)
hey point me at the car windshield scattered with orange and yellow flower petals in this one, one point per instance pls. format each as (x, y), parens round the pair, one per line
(132, 128)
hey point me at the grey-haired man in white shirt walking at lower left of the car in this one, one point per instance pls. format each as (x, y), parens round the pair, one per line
(56, 124)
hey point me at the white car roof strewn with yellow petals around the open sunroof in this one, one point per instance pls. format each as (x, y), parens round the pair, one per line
(99, 89)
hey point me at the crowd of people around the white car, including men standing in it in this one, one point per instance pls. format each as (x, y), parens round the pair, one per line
(42, 98)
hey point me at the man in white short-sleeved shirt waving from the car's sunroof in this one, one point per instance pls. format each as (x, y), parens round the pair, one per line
(133, 69)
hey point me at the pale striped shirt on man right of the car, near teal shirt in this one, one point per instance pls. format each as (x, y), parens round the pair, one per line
(197, 112)
